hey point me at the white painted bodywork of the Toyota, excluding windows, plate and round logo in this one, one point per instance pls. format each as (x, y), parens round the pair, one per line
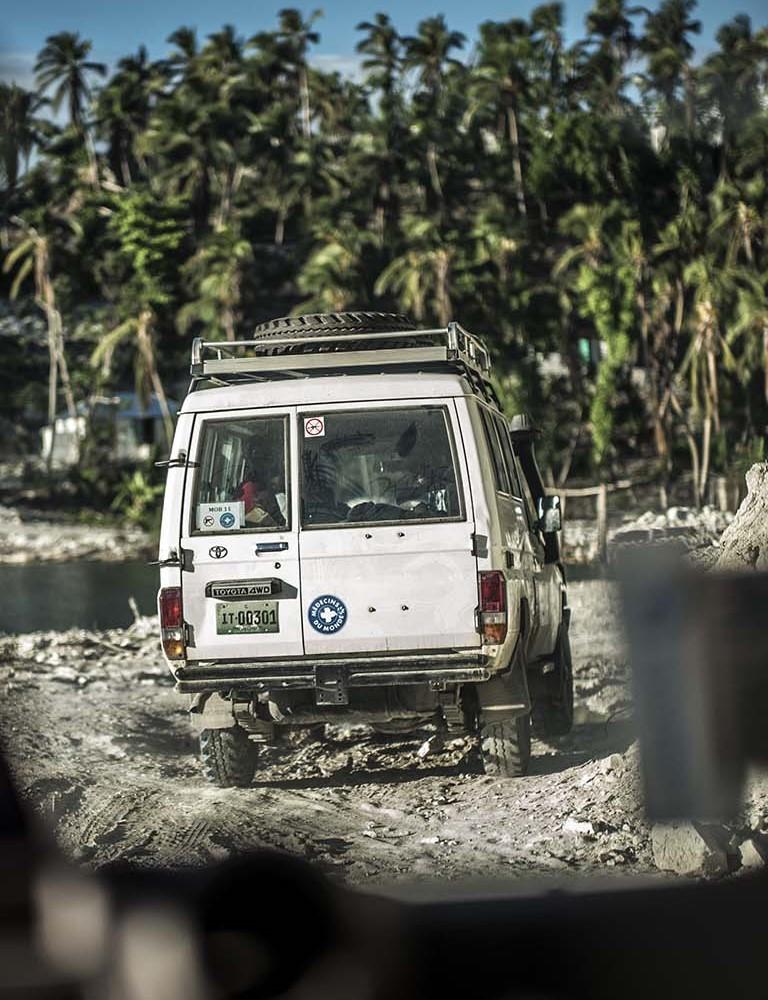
(407, 587)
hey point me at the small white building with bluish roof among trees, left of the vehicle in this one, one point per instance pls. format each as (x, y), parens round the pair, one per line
(131, 430)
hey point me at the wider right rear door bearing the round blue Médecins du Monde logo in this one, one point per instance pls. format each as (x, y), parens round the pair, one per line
(387, 562)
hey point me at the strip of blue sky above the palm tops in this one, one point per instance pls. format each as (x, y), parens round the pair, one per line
(117, 27)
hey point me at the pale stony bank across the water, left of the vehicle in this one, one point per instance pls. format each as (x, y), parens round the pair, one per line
(29, 538)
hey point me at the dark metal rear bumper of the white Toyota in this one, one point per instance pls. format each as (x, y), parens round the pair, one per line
(368, 671)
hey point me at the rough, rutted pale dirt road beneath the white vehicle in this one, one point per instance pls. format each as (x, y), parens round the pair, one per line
(102, 748)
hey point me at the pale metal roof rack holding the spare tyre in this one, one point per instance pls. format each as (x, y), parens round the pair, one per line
(275, 356)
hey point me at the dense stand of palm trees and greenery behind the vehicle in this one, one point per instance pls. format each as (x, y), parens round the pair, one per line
(524, 188)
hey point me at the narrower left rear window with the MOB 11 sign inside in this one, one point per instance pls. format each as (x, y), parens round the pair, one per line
(243, 481)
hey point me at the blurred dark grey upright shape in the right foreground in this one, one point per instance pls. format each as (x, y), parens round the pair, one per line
(699, 650)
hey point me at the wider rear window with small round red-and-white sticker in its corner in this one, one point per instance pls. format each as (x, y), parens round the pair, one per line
(370, 466)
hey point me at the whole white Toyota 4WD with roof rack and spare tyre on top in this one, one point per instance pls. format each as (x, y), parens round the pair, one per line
(352, 530)
